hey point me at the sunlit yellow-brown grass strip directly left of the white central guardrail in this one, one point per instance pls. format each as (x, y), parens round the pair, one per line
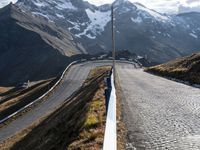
(92, 133)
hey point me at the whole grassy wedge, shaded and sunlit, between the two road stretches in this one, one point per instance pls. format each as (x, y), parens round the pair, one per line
(80, 120)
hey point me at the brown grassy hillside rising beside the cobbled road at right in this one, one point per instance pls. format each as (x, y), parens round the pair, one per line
(186, 69)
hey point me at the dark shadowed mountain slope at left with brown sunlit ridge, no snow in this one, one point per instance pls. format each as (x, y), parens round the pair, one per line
(31, 48)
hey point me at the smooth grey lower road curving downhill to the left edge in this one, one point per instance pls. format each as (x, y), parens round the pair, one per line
(72, 81)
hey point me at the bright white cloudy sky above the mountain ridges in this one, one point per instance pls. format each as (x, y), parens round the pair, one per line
(164, 6)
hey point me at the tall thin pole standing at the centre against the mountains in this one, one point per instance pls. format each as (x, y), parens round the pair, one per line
(113, 37)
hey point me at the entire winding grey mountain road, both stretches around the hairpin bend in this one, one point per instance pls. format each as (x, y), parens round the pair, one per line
(158, 113)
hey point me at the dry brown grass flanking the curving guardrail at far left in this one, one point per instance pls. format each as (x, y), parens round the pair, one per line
(30, 94)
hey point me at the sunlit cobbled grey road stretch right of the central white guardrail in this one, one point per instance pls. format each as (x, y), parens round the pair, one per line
(159, 113)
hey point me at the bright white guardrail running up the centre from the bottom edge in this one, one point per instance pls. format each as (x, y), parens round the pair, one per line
(110, 137)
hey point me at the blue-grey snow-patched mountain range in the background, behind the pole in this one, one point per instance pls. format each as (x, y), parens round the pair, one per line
(138, 29)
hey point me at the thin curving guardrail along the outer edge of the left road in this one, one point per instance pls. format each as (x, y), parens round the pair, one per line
(41, 97)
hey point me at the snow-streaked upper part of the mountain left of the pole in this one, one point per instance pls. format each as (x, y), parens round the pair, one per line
(79, 17)
